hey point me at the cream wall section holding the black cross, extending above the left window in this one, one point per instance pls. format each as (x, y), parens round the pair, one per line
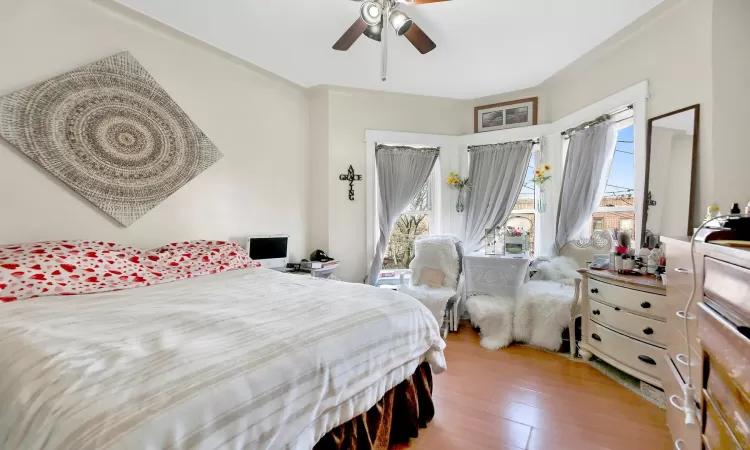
(351, 113)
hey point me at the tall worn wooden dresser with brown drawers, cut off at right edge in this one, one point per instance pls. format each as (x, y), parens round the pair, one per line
(719, 345)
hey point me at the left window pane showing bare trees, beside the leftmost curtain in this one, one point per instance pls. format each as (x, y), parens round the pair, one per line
(415, 221)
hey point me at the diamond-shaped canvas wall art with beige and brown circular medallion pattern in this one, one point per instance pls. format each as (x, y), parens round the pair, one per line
(111, 133)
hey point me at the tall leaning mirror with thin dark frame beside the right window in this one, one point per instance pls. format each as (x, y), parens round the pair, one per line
(670, 172)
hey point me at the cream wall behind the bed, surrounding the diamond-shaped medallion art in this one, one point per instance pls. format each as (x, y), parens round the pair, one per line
(257, 120)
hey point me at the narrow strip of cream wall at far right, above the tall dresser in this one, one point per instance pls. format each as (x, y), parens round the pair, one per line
(731, 90)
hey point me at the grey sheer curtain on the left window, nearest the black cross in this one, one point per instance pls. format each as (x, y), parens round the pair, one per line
(402, 172)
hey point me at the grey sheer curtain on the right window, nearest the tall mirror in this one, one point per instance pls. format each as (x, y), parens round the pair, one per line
(587, 165)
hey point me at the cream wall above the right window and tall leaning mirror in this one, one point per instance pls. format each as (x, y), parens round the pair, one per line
(671, 48)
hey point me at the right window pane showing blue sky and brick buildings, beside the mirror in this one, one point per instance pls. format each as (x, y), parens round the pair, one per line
(617, 208)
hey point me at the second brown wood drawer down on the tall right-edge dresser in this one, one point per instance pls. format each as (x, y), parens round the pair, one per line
(731, 403)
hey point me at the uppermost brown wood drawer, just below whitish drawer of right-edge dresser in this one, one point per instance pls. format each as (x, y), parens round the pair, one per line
(726, 347)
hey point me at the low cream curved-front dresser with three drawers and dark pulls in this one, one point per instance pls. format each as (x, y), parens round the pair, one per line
(623, 321)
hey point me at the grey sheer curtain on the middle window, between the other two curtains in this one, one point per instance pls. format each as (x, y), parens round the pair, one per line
(496, 174)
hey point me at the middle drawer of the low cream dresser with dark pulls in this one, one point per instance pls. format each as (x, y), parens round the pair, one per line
(641, 327)
